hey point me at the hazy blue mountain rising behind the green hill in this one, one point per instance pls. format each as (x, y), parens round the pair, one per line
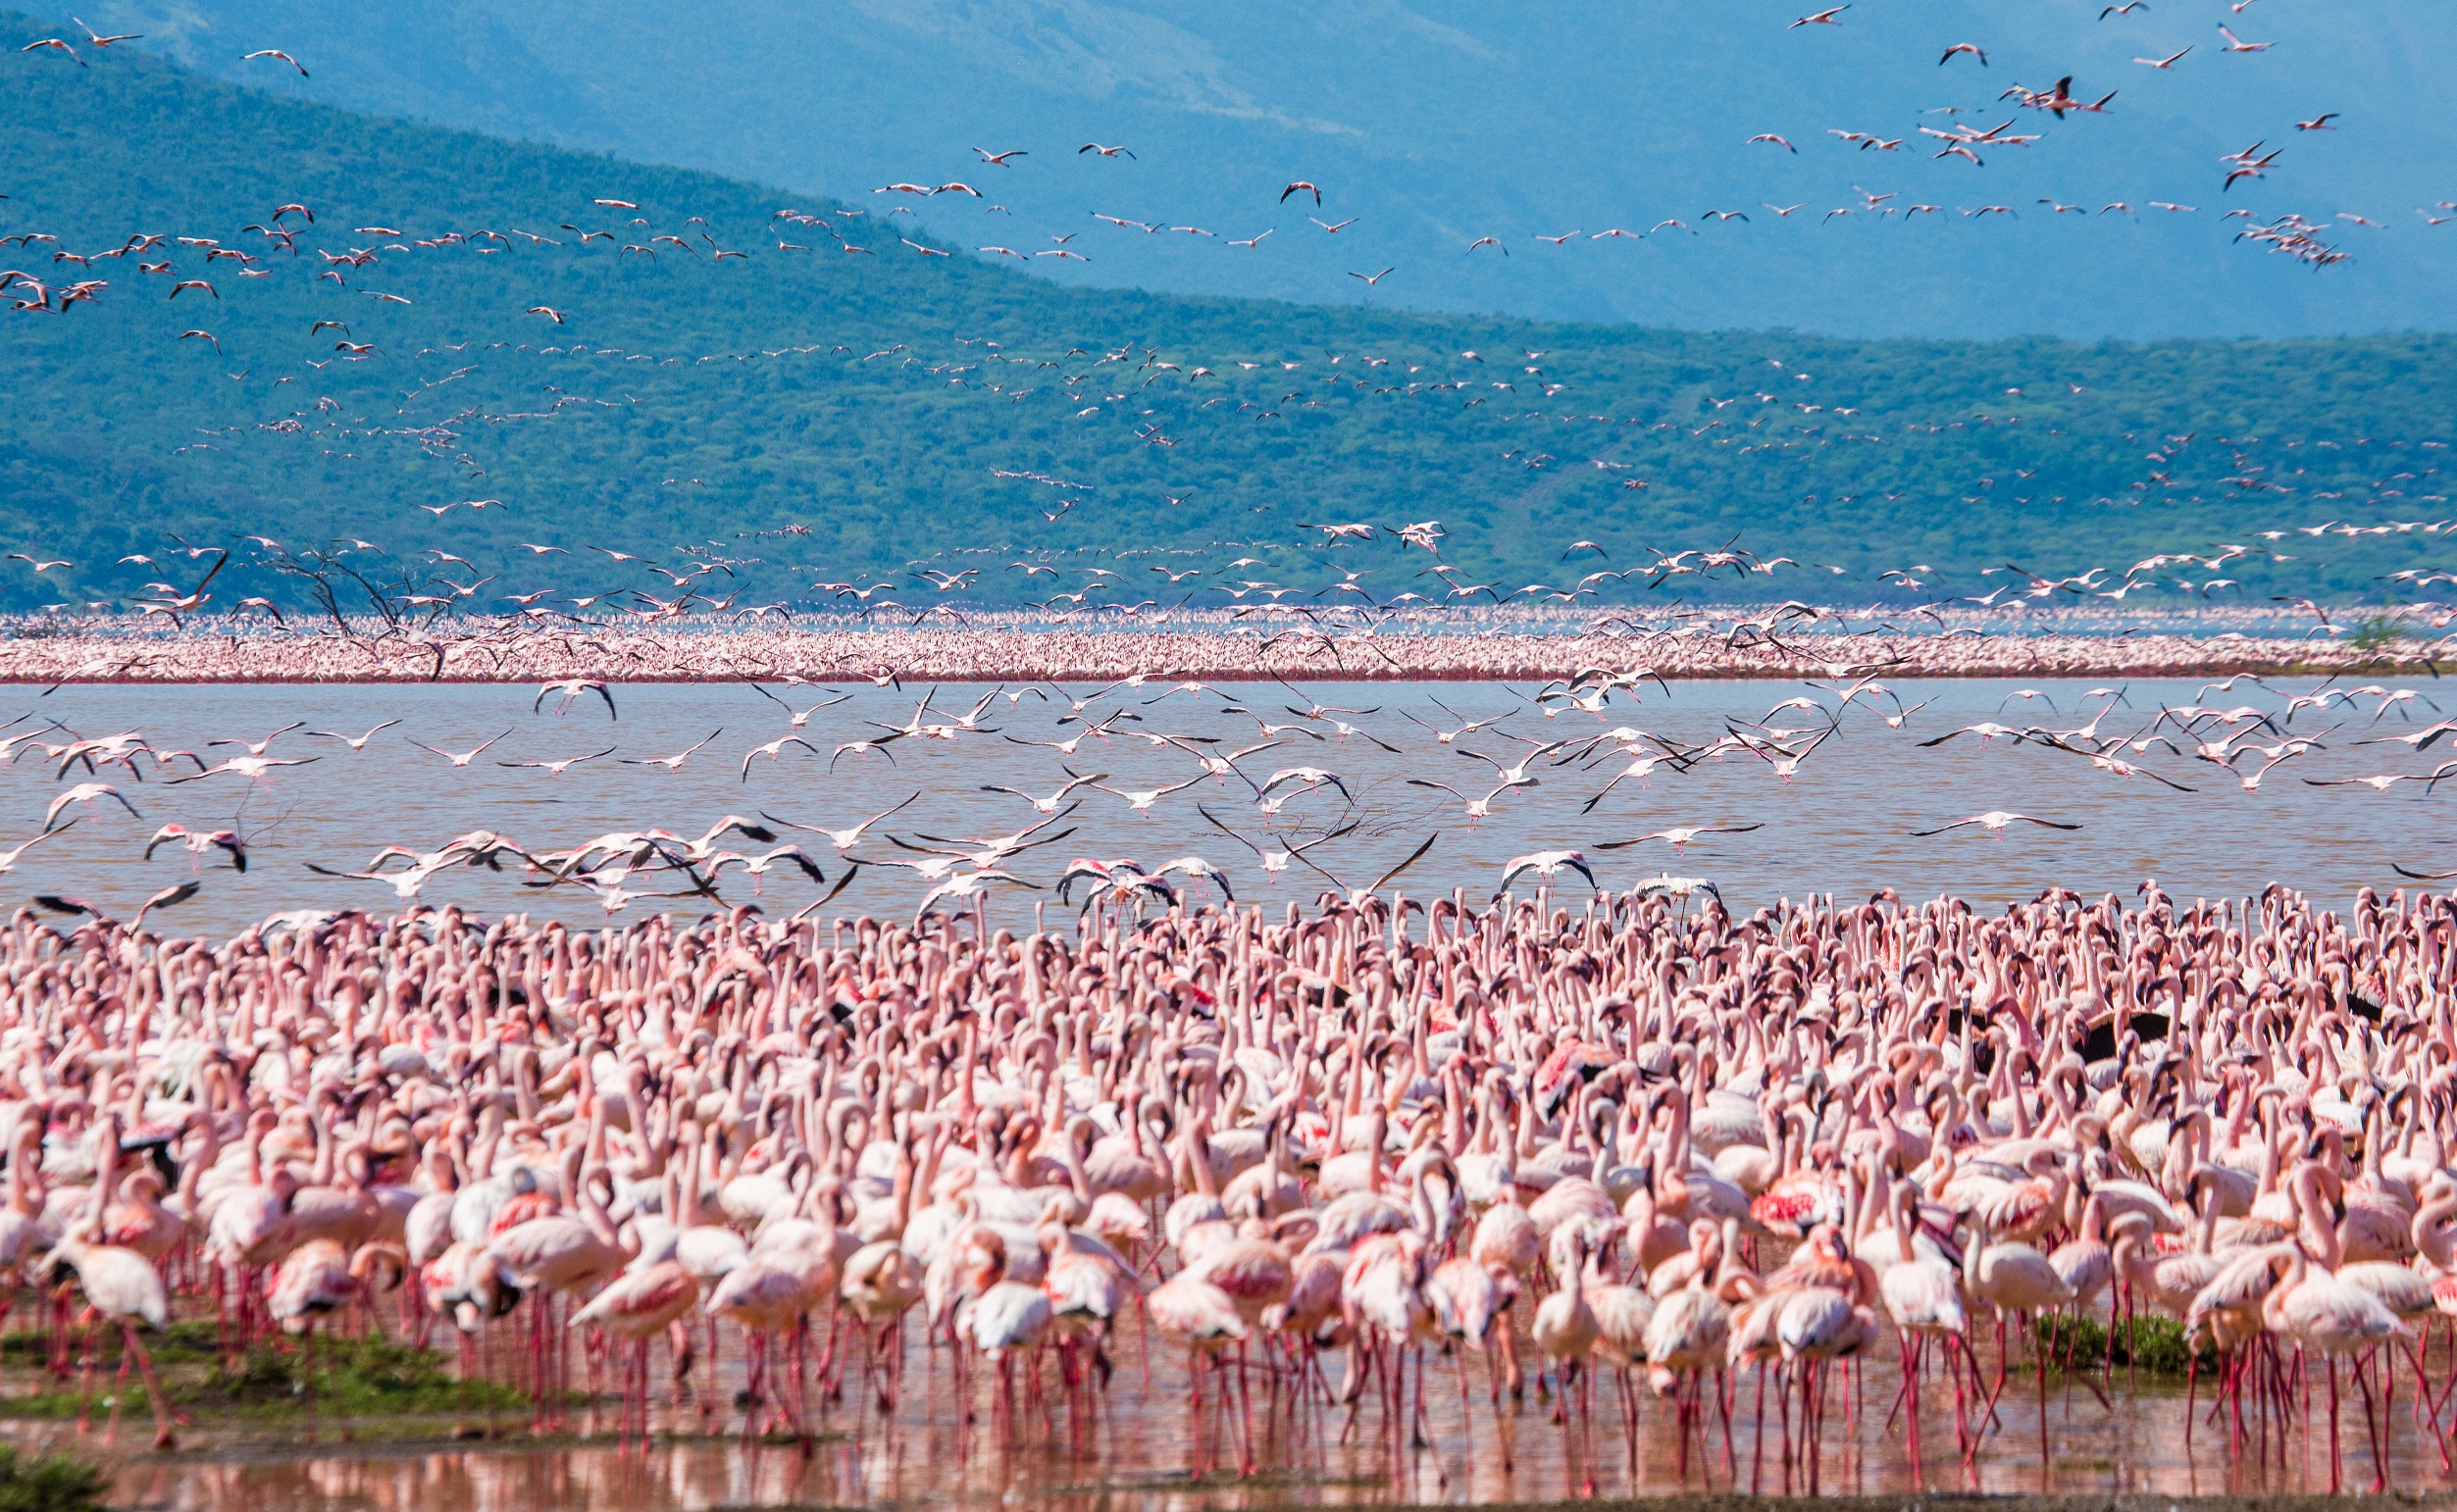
(1436, 121)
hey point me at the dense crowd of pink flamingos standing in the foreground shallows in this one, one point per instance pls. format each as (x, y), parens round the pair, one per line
(1630, 1157)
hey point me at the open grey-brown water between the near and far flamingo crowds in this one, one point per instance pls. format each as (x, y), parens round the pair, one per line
(1842, 826)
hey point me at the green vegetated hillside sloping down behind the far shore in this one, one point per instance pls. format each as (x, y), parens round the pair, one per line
(837, 416)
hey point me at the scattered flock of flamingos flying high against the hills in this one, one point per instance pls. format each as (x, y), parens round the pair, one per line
(1783, 423)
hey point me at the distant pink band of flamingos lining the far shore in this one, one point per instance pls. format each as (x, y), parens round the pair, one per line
(1736, 644)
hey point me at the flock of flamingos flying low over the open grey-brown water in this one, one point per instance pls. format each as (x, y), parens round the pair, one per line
(1291, 784)
